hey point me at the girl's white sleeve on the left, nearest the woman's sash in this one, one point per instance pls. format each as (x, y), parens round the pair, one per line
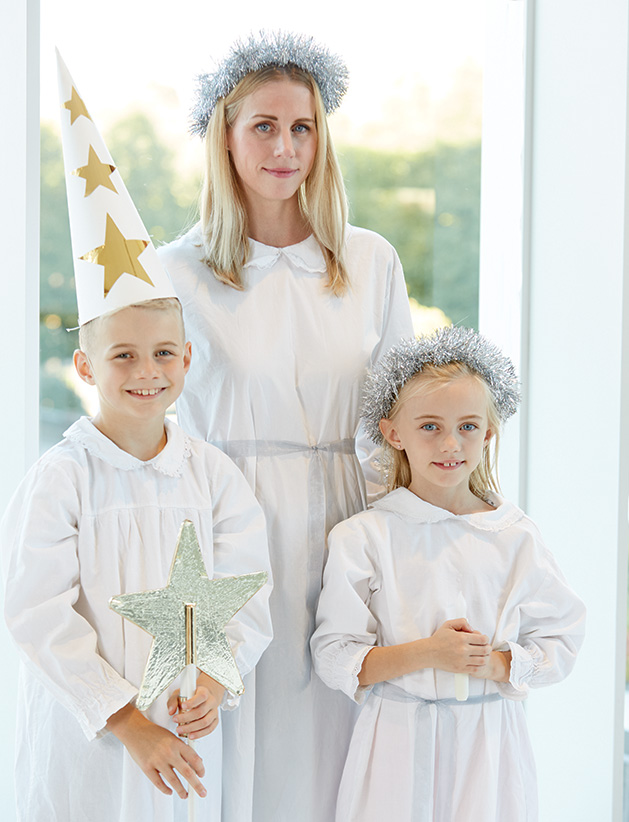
(346, 628)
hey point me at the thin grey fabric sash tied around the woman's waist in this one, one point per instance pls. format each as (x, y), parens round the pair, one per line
(241, 449)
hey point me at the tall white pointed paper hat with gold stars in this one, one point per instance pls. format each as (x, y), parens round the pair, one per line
(115, 263)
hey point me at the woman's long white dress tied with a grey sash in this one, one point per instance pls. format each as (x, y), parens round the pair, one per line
(275, 382)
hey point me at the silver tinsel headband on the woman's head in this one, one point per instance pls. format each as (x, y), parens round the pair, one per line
(276, 48)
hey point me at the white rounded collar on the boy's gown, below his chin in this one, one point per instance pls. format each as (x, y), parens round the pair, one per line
(170, 460)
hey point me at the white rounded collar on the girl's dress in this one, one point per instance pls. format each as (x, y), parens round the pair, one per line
(410, 506)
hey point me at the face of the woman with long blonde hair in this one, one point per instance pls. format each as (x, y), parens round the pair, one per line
(273, 141)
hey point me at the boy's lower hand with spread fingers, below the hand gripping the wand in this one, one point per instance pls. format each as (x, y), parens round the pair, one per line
(158, 752)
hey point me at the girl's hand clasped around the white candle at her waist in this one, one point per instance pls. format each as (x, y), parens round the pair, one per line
(457, 648)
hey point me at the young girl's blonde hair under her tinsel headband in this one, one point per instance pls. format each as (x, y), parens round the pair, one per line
(396, 469)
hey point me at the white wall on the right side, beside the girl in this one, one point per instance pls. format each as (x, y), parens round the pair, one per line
(575, 340)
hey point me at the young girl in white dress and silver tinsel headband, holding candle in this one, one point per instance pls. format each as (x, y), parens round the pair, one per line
(441, 587)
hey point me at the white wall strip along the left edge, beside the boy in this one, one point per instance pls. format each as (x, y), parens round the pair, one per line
(19, 307)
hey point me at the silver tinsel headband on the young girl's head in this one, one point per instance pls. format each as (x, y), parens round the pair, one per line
(453, 344)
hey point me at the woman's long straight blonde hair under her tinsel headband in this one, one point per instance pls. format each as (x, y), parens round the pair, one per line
(322, 199)
